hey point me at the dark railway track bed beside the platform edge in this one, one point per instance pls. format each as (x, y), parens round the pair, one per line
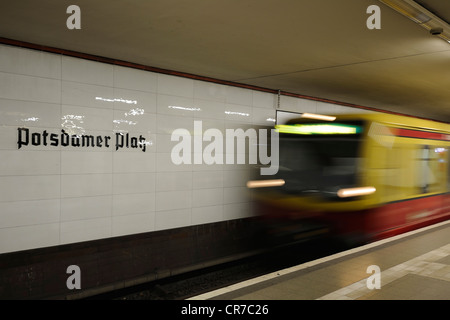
(193, 283)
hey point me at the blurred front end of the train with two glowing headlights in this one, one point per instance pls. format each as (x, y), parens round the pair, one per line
(321, 183)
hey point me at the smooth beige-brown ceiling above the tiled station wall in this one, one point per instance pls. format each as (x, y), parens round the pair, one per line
(319, 48)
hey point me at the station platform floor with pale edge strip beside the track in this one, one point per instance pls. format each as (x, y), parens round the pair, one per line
(411, 266)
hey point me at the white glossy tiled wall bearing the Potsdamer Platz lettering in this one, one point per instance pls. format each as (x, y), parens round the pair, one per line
(56, 195)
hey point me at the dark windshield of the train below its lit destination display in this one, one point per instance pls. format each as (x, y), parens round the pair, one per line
(319, 163)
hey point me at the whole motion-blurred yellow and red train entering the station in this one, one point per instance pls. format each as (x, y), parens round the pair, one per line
(360, 178)
